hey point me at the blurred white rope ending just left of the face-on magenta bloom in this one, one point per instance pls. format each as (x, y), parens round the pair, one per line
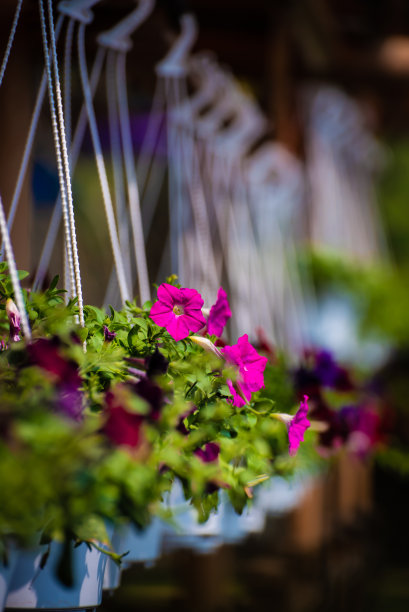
(133, 194)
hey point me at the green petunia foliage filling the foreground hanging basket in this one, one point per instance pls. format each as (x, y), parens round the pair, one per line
(75, 477)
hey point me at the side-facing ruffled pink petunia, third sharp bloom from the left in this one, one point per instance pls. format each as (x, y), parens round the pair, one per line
(250, 366)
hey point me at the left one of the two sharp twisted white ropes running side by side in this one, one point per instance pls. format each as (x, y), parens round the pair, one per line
(56, 136)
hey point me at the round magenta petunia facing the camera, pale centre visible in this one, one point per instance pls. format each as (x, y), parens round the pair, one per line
(178, 310)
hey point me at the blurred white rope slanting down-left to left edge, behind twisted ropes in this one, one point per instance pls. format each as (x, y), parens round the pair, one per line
(29, 142)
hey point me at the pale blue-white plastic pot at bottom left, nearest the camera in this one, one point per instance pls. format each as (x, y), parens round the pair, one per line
(33, 587)
